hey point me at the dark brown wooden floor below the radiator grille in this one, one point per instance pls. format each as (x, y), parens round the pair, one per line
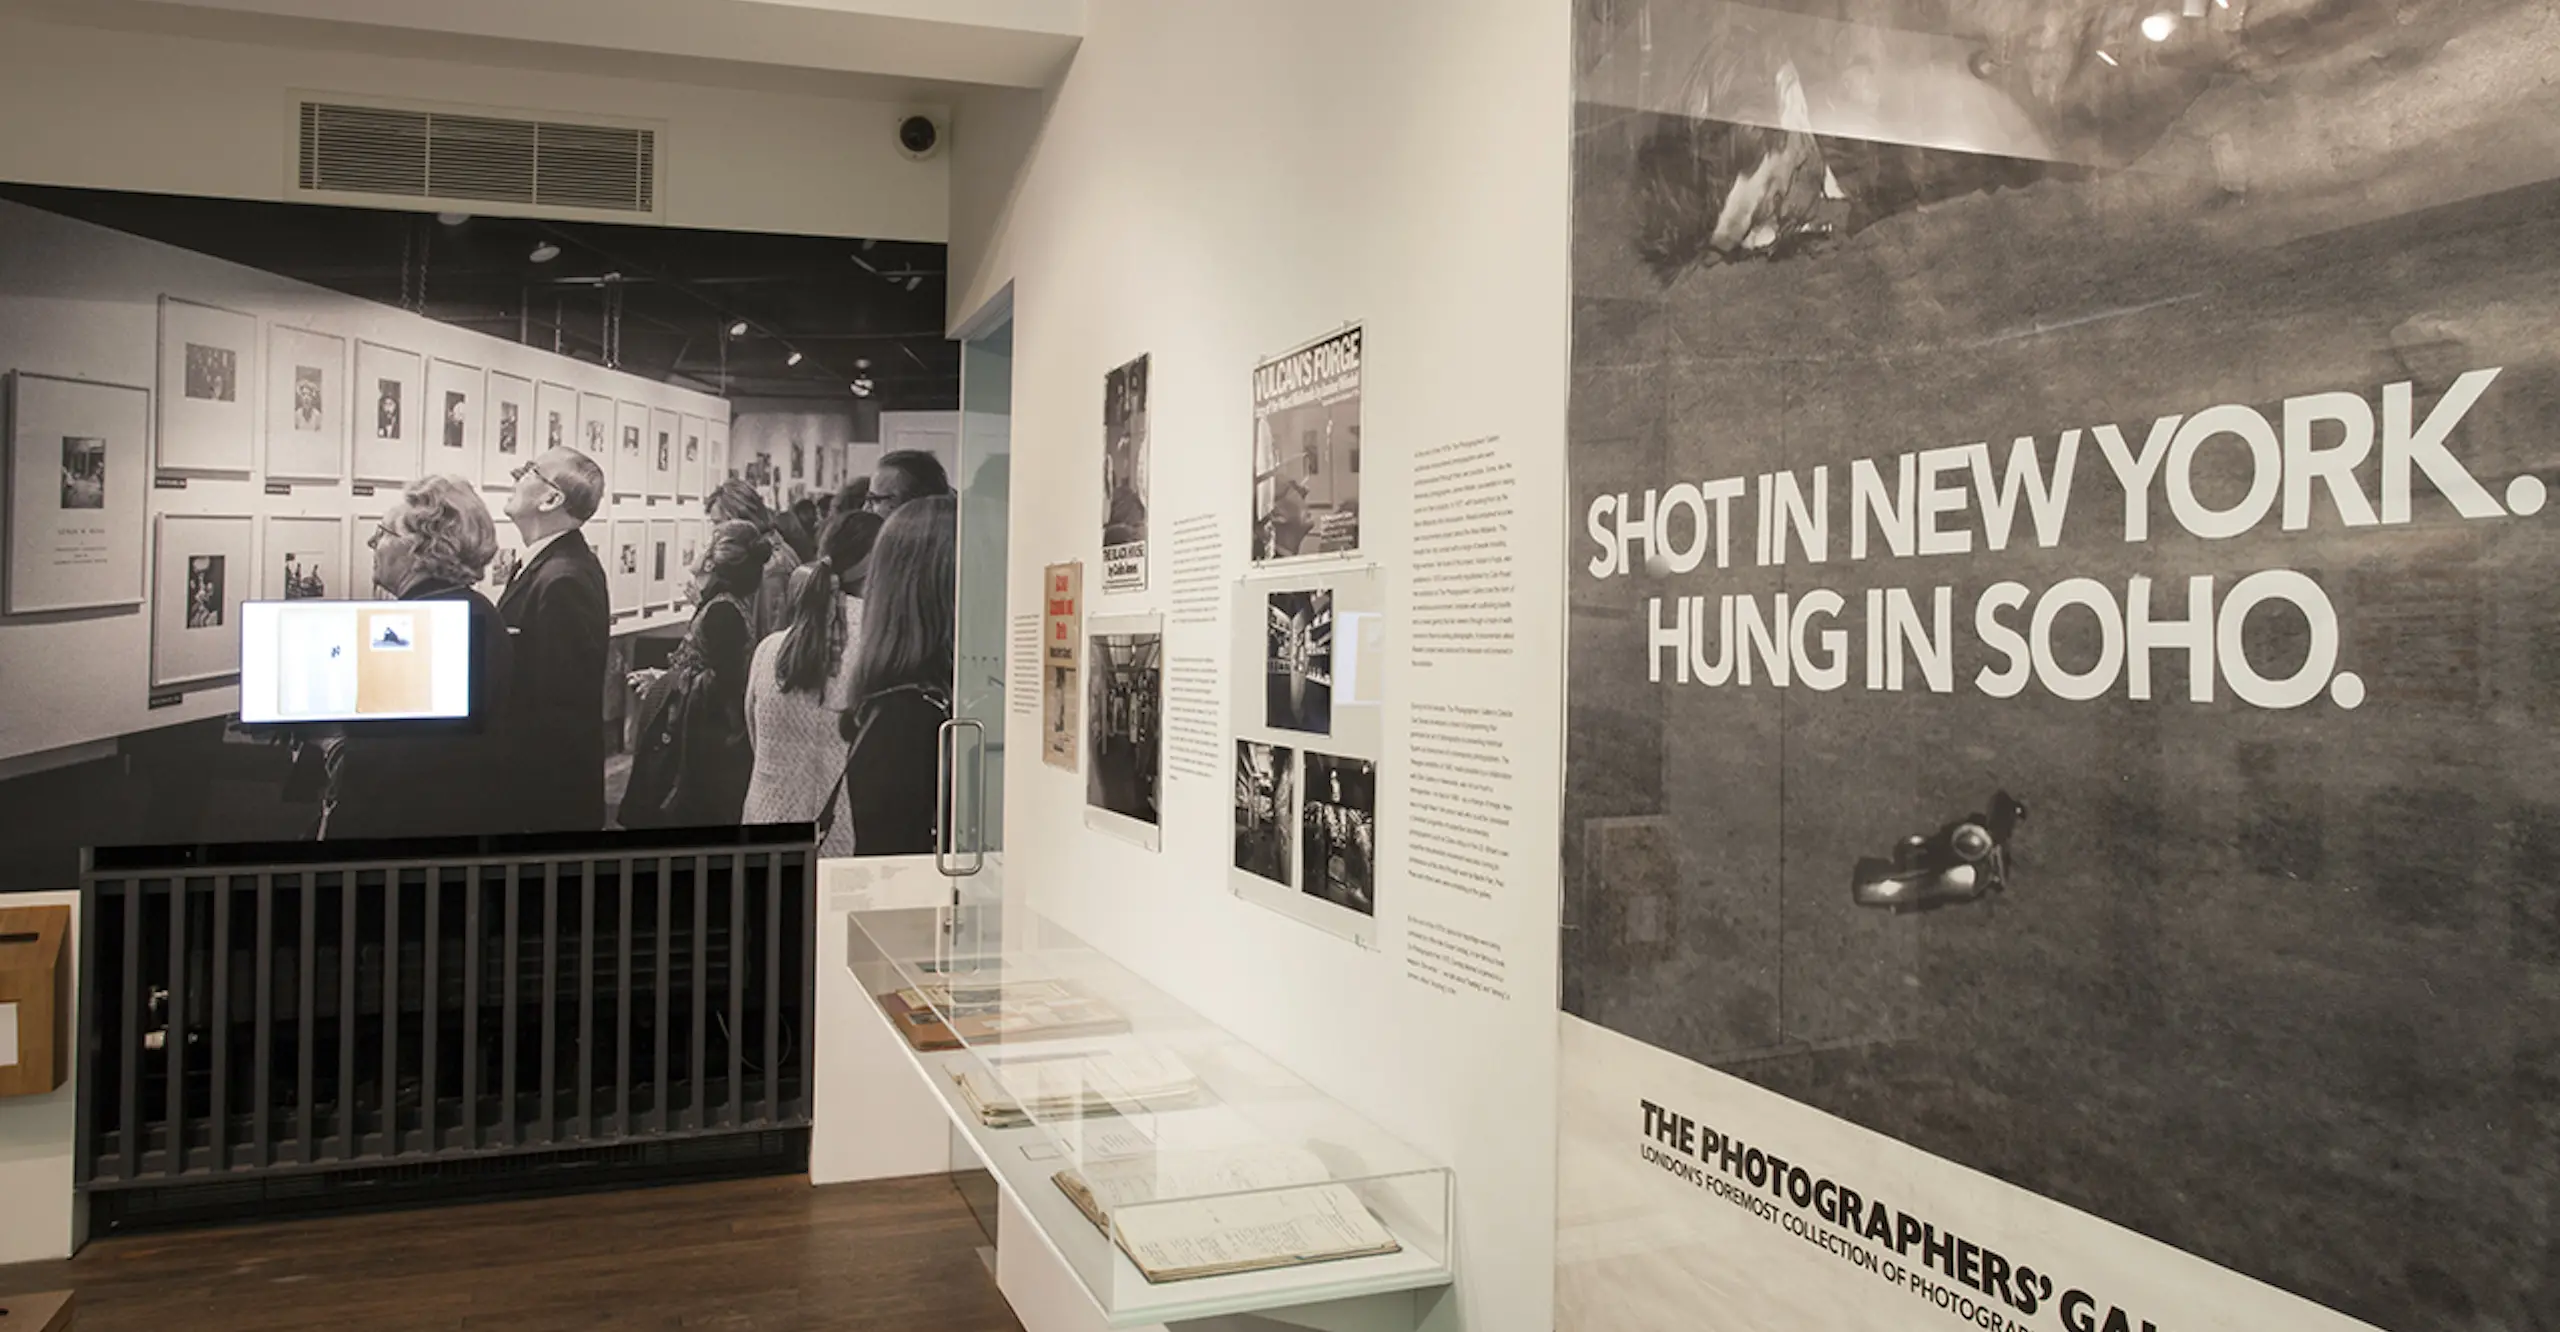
(767, 1254)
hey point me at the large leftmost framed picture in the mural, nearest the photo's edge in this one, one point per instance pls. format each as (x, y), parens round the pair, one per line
(78, 478)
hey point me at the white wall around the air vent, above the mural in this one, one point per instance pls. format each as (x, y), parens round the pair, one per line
(180, 114)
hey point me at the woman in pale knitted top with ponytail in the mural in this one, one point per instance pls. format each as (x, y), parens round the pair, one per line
(800, 688)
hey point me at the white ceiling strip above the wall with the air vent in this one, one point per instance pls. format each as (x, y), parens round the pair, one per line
(910, 47)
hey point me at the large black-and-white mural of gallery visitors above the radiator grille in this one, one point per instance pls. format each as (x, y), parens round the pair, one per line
(308, 347)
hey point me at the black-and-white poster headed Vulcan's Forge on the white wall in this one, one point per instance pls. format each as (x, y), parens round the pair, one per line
(1307, 452)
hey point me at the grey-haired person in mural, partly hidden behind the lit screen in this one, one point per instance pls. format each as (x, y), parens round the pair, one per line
(429, 783)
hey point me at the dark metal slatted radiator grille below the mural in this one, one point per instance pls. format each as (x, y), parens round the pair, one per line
(362, 1016)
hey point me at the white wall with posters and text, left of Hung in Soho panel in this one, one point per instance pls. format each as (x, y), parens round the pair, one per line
(1212, 186)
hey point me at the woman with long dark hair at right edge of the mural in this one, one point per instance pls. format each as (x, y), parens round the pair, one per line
(902, 678)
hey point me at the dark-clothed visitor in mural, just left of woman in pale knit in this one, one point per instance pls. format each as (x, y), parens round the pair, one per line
(692, 762)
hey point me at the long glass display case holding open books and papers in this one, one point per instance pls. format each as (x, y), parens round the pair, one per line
(1179, 1172)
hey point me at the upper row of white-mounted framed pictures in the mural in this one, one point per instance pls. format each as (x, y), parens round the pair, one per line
(362, 411)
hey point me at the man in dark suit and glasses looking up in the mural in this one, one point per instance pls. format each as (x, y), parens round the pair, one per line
(559, 616)
